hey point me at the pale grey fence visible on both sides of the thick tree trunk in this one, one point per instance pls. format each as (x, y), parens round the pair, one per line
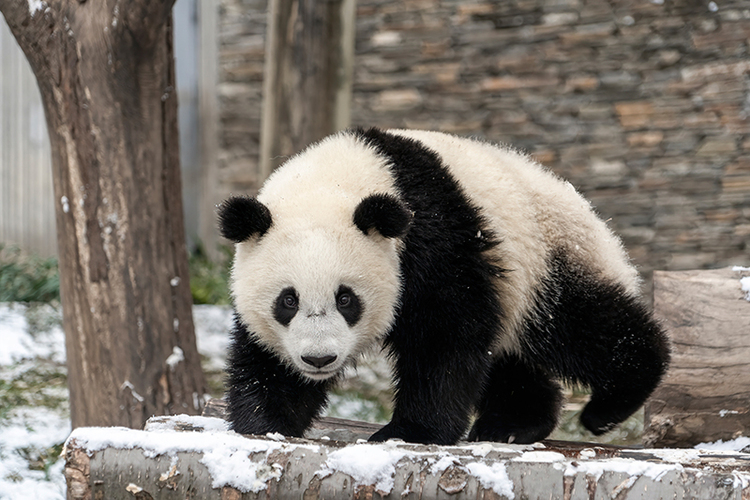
(27, 210)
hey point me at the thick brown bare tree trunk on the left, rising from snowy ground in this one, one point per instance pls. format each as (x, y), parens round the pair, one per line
(106, 74)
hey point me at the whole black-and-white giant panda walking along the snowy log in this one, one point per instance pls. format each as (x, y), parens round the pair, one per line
(486, 278)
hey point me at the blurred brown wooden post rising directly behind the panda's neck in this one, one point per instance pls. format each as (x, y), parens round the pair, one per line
(308, 75)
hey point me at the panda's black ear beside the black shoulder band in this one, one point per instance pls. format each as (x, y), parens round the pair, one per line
(384, 213)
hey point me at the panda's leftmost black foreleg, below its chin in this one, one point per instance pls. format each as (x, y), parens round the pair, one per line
(264, 395)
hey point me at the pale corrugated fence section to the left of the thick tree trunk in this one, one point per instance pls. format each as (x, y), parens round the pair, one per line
(27, 214)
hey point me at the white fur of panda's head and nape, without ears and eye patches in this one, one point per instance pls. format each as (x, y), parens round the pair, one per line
(314, 246)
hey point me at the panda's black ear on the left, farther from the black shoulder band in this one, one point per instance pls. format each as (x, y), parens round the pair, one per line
(241, 217)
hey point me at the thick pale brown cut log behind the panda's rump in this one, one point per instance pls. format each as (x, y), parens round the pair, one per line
(706, 394)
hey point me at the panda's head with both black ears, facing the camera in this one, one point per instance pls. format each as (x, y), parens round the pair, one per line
(316, 287)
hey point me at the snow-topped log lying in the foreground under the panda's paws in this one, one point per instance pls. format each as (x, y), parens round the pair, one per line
(196, 457)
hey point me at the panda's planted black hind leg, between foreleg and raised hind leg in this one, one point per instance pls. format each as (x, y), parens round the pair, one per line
(520, 404)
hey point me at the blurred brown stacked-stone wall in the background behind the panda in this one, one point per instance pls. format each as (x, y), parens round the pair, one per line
(643, 105)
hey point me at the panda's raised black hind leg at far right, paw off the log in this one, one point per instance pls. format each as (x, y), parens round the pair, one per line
(593, 333)
